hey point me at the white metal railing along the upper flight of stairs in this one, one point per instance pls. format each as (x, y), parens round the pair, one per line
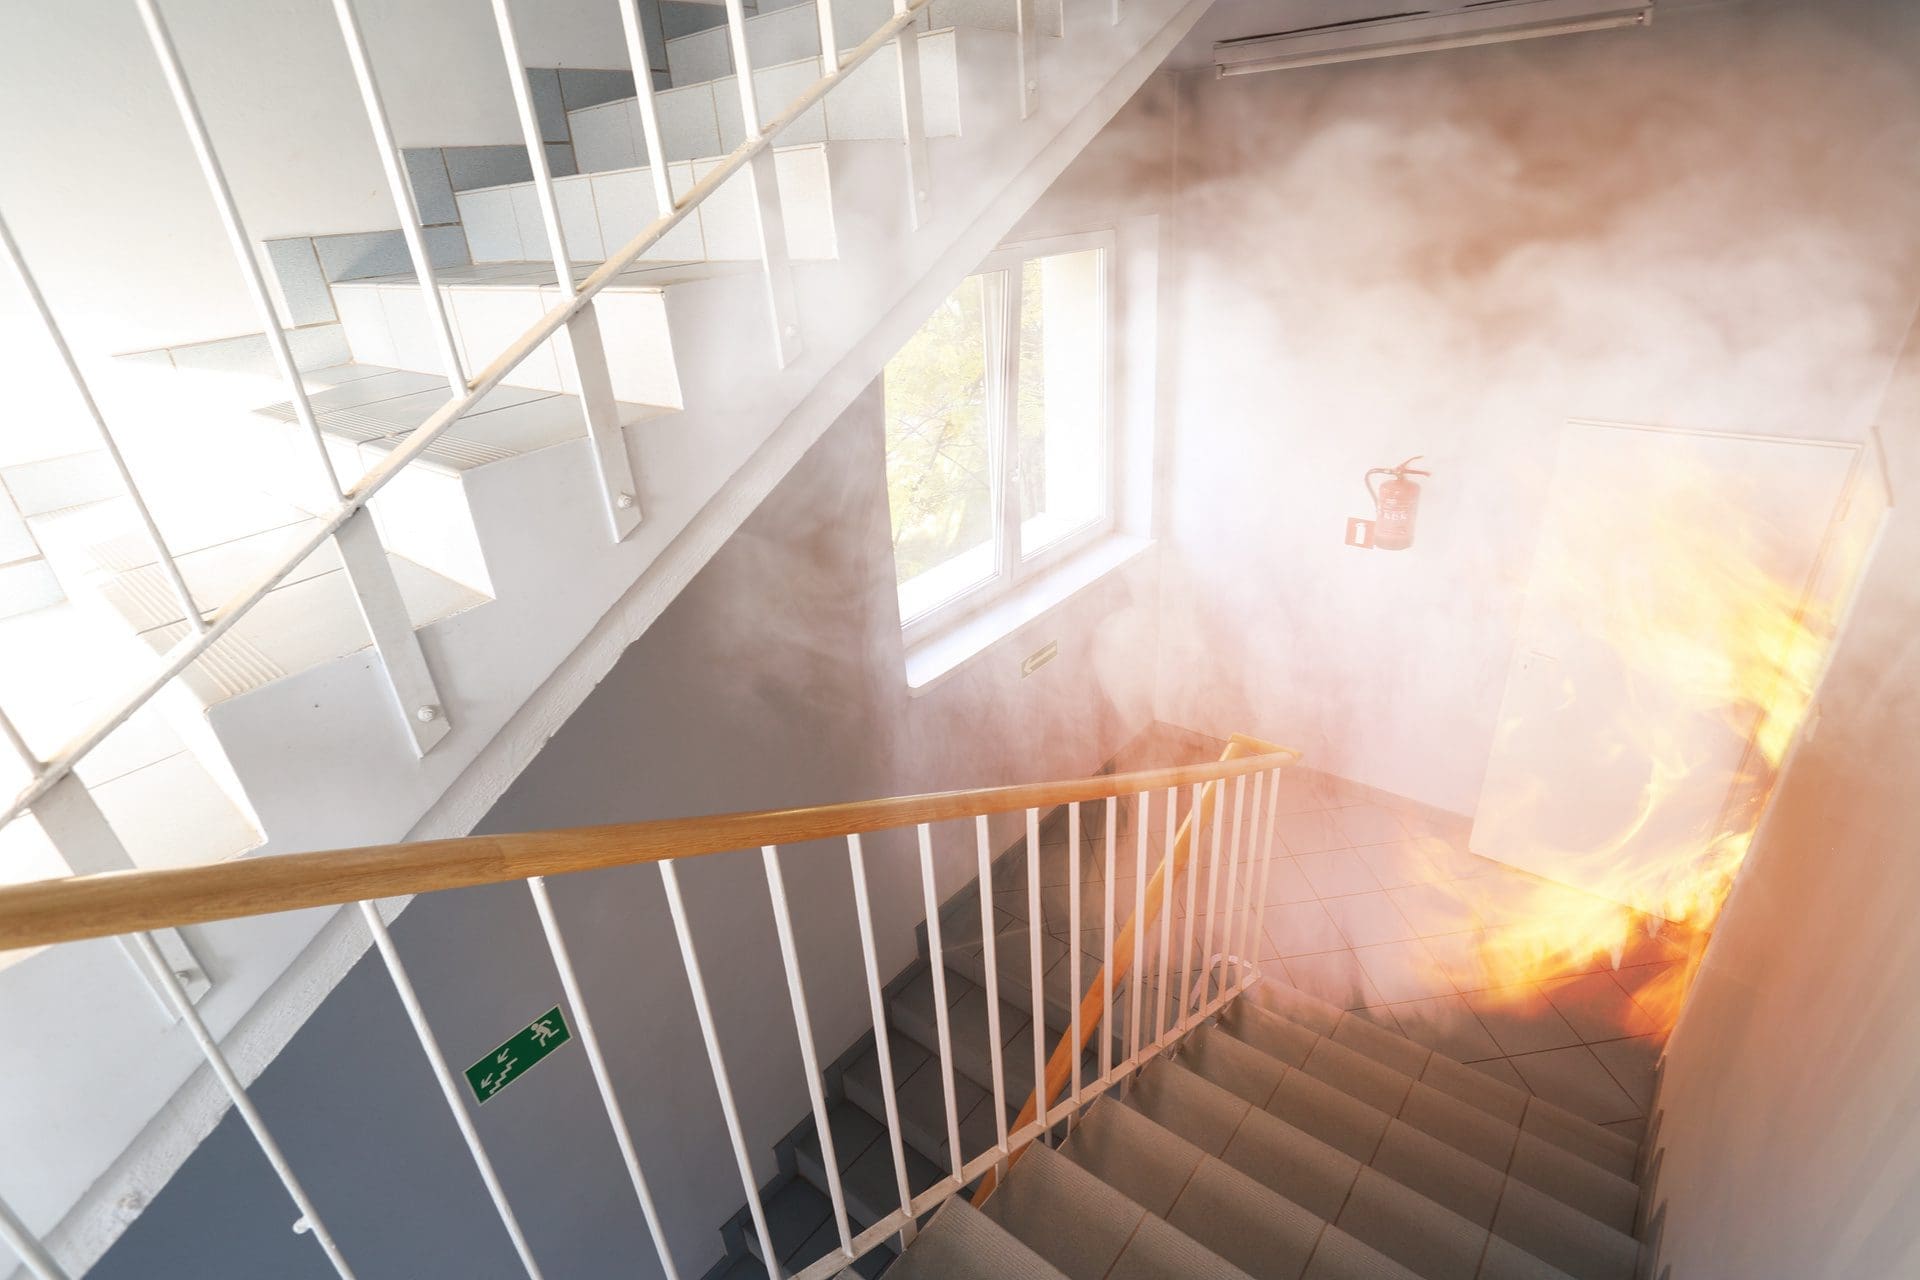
(66, 813)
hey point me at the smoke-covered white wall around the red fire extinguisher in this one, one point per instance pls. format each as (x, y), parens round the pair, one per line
(1706, 224)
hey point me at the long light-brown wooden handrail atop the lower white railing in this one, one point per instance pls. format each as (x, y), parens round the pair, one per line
(95, 907)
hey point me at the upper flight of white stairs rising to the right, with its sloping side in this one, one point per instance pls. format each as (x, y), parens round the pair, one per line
(287, 732)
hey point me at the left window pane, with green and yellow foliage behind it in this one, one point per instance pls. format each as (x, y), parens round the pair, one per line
(938, 456)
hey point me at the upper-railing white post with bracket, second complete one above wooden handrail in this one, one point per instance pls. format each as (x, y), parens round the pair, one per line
(585, 346)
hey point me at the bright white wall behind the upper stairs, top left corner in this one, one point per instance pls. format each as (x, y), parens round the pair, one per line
(103, 189)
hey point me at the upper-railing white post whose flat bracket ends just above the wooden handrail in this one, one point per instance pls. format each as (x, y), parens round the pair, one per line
(370, 577)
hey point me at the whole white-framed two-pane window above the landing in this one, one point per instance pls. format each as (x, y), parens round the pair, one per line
(999, 429)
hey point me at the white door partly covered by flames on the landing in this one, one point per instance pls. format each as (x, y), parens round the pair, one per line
(1644, 705)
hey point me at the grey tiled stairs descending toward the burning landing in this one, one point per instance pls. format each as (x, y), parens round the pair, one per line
(1282, 1139)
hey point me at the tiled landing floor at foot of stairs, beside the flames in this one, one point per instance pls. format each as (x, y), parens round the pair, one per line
(1376, 905)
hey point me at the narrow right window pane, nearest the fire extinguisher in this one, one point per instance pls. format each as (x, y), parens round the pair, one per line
(1063, 398)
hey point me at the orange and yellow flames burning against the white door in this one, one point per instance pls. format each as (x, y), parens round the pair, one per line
(1719, 655)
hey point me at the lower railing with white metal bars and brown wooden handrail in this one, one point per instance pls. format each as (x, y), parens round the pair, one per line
(1239, 834)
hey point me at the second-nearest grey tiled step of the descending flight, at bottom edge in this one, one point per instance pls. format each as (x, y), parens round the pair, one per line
(1088, 1231)
